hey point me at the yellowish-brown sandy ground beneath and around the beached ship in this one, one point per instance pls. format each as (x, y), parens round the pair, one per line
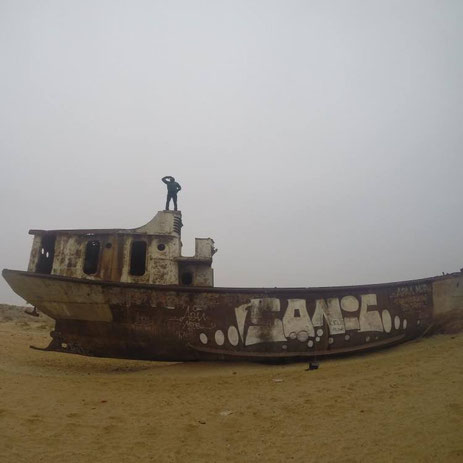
(399, 405)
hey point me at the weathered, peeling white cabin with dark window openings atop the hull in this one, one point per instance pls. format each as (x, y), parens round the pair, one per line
(150, 254)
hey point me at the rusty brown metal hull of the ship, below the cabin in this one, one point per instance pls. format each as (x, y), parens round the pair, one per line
(155, 322)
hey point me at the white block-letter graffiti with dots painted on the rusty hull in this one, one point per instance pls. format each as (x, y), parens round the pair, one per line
(275, 320)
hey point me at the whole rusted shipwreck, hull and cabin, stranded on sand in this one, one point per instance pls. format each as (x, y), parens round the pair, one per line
(130, 293)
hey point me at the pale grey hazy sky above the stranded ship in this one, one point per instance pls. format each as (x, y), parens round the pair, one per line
(318, 142)
